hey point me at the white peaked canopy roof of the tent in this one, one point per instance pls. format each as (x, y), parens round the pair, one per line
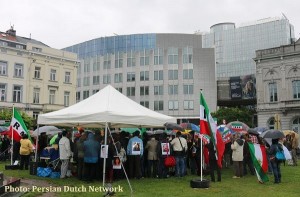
(106, 106)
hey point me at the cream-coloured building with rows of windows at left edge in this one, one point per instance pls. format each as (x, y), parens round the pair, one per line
(34, 77)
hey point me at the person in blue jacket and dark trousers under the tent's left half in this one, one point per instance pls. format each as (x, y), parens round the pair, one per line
(91, 150)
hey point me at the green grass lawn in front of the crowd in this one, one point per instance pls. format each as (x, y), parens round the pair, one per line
(246, 186)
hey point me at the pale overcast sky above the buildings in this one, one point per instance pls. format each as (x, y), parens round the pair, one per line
(61, 23)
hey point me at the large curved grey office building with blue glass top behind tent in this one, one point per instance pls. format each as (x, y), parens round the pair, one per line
(163, 72)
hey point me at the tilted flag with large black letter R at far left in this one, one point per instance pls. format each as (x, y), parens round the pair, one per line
(17, 127)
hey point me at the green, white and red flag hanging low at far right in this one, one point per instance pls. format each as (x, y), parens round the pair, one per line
(260, 162)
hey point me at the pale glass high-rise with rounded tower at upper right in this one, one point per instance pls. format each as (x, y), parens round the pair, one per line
(235, 46)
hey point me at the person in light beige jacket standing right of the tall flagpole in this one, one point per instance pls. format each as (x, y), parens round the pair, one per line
(237, 147)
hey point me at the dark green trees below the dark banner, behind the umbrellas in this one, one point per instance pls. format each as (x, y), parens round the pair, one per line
(234, 113)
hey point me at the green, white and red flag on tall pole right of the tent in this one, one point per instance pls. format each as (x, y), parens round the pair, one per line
(209, 127)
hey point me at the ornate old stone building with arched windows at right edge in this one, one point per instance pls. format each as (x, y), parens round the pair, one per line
(278, 87)
